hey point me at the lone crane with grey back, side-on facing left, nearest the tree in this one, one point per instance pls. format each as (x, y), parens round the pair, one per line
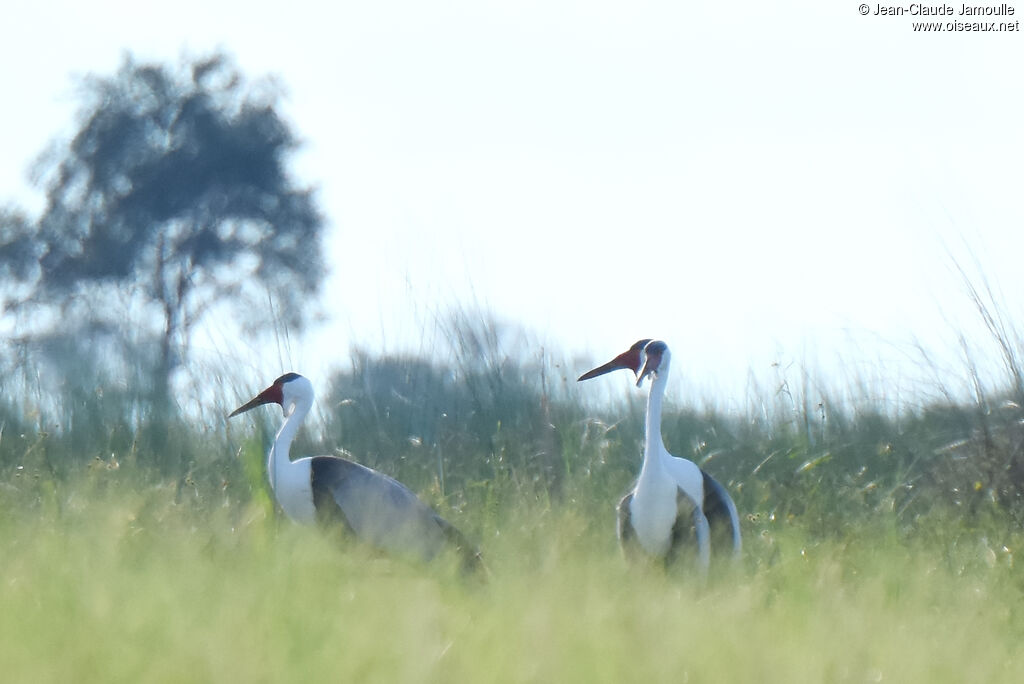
(332, 491)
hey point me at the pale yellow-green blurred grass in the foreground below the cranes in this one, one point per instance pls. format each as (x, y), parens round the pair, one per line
(127, 583)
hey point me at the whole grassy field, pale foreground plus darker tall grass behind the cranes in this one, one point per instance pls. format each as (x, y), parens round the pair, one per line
(878, 546)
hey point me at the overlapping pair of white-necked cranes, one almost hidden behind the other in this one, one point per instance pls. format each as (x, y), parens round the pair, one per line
(671, 494)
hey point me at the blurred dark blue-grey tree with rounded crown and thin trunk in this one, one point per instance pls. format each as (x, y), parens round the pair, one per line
(176, 191)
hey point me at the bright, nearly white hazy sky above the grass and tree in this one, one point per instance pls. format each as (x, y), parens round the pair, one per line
(754, 183)
